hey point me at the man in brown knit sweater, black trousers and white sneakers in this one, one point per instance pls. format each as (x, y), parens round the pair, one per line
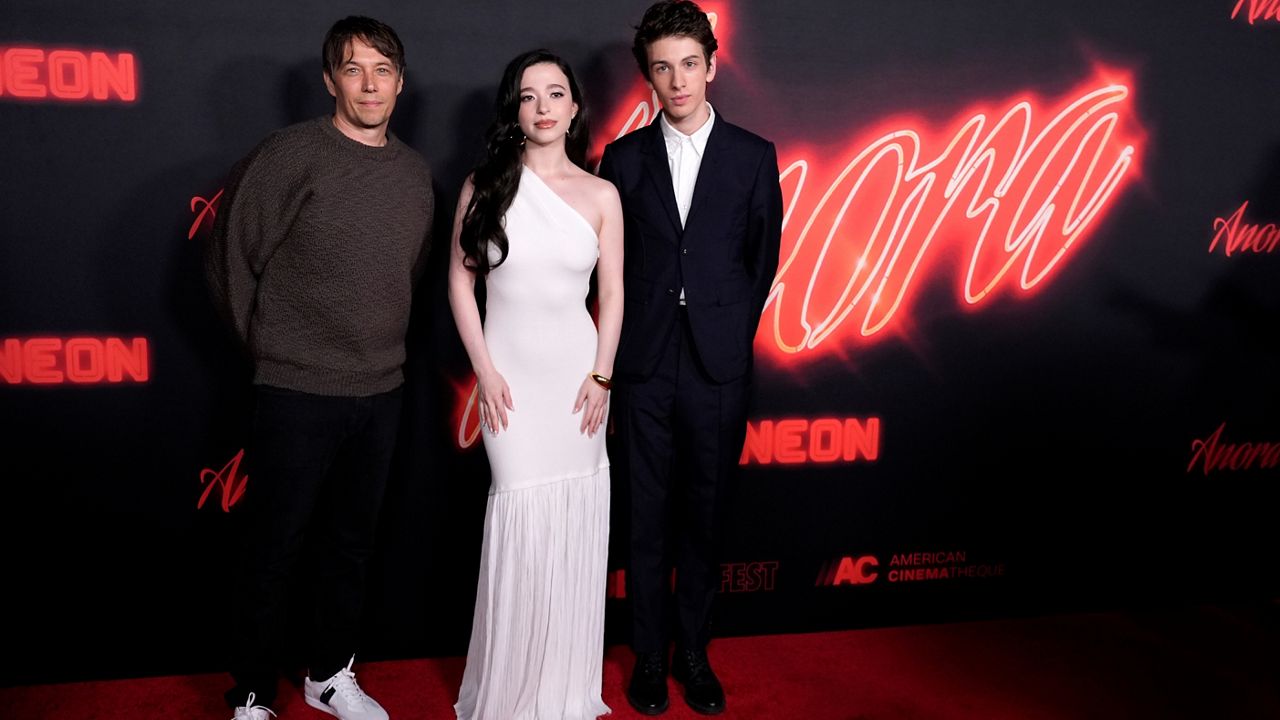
(321, 235)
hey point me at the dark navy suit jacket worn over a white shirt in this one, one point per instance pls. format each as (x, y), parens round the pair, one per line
(725, 257)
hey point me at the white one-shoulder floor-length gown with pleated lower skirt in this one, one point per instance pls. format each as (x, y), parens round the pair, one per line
(538, 634)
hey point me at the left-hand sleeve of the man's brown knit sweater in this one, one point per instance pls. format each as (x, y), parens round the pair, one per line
(263, 198)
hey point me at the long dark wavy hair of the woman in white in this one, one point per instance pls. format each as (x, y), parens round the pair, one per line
(497, 176)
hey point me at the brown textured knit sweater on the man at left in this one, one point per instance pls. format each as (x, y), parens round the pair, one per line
(314, 254)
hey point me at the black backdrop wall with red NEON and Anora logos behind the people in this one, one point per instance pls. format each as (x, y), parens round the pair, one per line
(1041, 445)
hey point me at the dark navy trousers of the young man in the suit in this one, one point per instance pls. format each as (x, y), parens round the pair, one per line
(682, 440)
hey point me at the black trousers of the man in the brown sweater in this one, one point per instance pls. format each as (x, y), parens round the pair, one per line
(317, 470)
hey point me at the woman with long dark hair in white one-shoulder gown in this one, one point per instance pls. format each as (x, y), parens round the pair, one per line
(534, 224)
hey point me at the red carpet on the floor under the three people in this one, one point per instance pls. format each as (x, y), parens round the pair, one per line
(1188, 664)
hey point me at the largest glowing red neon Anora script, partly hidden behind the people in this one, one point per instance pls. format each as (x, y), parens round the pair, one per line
(996, 200)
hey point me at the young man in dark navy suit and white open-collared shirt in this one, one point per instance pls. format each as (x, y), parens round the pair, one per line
(703, 218)
